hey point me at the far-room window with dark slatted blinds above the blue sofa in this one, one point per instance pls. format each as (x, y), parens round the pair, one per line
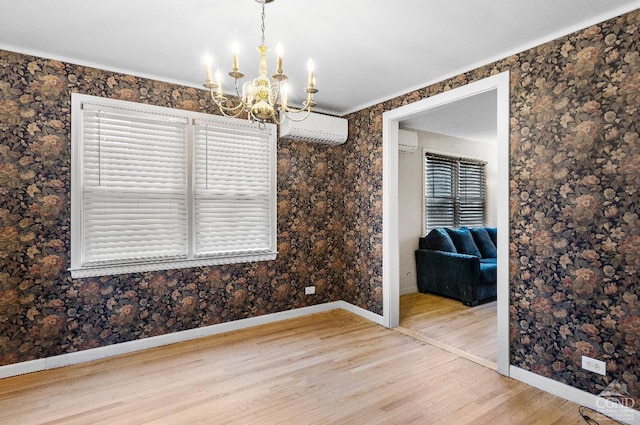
(454, 191)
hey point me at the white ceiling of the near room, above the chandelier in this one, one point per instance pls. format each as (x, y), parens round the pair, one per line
(365, 51)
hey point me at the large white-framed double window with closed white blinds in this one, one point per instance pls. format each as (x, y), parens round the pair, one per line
(156, 188)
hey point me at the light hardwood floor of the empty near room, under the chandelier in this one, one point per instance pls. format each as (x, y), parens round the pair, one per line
(326, 368)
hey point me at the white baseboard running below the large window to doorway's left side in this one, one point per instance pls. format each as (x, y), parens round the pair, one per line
(157, 341)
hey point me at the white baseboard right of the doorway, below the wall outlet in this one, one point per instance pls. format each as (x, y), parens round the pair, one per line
(583, 398)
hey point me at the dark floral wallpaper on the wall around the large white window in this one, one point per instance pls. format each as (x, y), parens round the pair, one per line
(43, 312)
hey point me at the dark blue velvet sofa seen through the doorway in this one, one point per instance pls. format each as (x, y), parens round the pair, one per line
(459, 263)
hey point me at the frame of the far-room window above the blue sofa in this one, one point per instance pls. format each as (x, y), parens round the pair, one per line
(452, 158)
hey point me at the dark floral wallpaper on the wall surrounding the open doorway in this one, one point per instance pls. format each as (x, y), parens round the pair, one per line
(575, 201)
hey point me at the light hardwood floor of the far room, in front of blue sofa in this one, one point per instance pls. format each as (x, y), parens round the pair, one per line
(449, 324)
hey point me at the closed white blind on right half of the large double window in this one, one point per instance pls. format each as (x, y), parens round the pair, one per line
(232, 190)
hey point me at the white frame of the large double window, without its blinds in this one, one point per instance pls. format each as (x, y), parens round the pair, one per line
(78, 267)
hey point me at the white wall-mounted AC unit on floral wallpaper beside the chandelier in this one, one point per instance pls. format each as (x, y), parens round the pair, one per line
(316, 128)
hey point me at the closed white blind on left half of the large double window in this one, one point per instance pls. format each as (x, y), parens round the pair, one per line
(134, 187)
